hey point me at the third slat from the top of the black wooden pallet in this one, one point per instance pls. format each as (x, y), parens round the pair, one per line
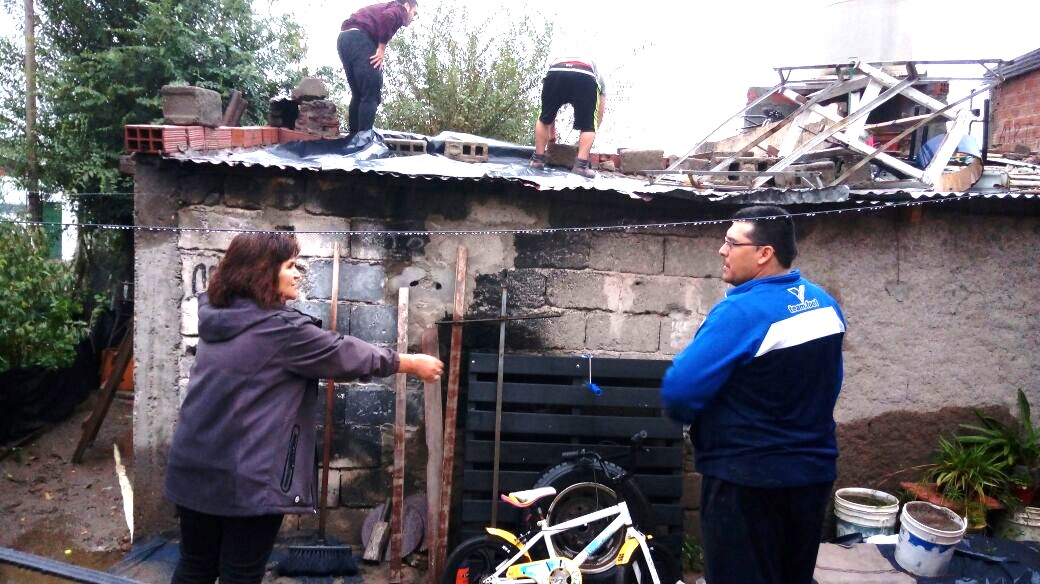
(593, 427)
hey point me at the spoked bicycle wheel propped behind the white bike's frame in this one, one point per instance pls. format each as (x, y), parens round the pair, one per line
(577, 501)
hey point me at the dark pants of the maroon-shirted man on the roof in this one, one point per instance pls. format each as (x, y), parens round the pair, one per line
(367, 83)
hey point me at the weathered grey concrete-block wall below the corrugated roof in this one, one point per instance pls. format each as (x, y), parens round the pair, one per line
(941, 306)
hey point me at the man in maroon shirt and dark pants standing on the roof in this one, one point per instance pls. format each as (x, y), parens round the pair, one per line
(362, 45)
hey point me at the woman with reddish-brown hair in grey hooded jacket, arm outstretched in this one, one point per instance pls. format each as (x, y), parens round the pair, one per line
(244, 453)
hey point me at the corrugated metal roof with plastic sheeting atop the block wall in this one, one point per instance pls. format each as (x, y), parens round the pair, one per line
(509, 164)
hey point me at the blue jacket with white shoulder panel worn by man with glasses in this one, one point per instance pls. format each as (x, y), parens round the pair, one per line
(760, 382)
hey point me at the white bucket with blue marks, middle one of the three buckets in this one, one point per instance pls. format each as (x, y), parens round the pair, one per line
(923, 550)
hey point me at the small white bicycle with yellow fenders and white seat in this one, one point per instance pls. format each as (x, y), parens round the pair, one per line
(500, 558)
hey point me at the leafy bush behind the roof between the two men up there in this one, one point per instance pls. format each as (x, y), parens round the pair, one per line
(450, 74)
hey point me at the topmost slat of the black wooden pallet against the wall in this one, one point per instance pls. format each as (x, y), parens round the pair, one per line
(570, 367)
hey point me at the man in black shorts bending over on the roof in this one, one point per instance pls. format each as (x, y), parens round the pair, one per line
(576, 82)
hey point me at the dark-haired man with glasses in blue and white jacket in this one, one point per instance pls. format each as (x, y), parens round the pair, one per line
(759, 385)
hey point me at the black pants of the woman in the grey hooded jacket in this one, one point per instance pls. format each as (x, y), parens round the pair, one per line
(236, 549)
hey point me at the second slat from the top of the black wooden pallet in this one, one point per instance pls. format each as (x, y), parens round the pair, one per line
(567, 395)
